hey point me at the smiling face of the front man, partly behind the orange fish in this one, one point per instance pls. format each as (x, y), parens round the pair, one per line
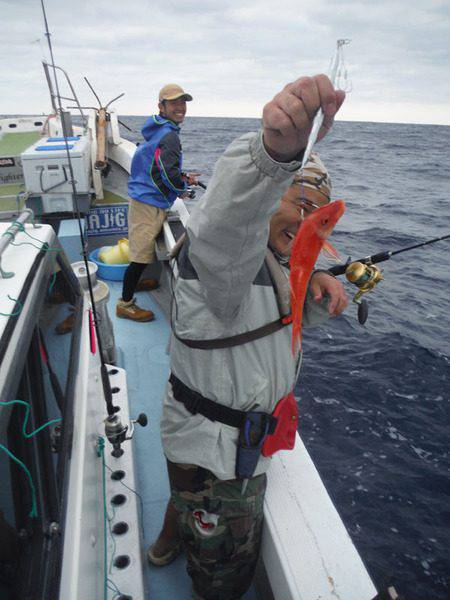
(294, 207)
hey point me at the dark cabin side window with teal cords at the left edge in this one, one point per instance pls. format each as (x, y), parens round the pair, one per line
(35, 451)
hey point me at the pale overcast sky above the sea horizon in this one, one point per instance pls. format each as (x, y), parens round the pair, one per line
(231, 55)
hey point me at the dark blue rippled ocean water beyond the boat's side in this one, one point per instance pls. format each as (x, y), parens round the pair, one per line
(374, 400)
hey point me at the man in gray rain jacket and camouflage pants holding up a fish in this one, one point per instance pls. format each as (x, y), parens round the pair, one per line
(225, 288)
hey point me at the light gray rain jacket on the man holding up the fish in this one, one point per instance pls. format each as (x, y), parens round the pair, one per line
(224, 288)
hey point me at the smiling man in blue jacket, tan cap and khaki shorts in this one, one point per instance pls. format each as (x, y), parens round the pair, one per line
(155, 182)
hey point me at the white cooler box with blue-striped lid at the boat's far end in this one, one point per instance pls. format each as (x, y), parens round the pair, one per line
(47, 175)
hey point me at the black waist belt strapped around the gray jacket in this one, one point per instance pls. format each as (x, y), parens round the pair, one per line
(196, 403)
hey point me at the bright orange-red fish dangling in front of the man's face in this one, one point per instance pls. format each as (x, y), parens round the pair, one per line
(309, 241)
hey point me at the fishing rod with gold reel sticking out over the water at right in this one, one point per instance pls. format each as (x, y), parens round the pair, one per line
(365, 275)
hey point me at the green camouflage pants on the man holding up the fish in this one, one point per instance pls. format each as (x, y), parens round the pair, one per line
(220, 529)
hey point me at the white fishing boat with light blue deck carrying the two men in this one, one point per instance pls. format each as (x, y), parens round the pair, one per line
(85, 487)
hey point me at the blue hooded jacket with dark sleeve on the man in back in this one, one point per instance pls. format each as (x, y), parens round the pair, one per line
(156, 166)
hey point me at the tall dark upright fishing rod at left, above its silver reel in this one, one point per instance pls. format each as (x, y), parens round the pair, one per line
(111, 409)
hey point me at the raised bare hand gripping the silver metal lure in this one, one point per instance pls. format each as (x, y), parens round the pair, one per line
(288, 118)
